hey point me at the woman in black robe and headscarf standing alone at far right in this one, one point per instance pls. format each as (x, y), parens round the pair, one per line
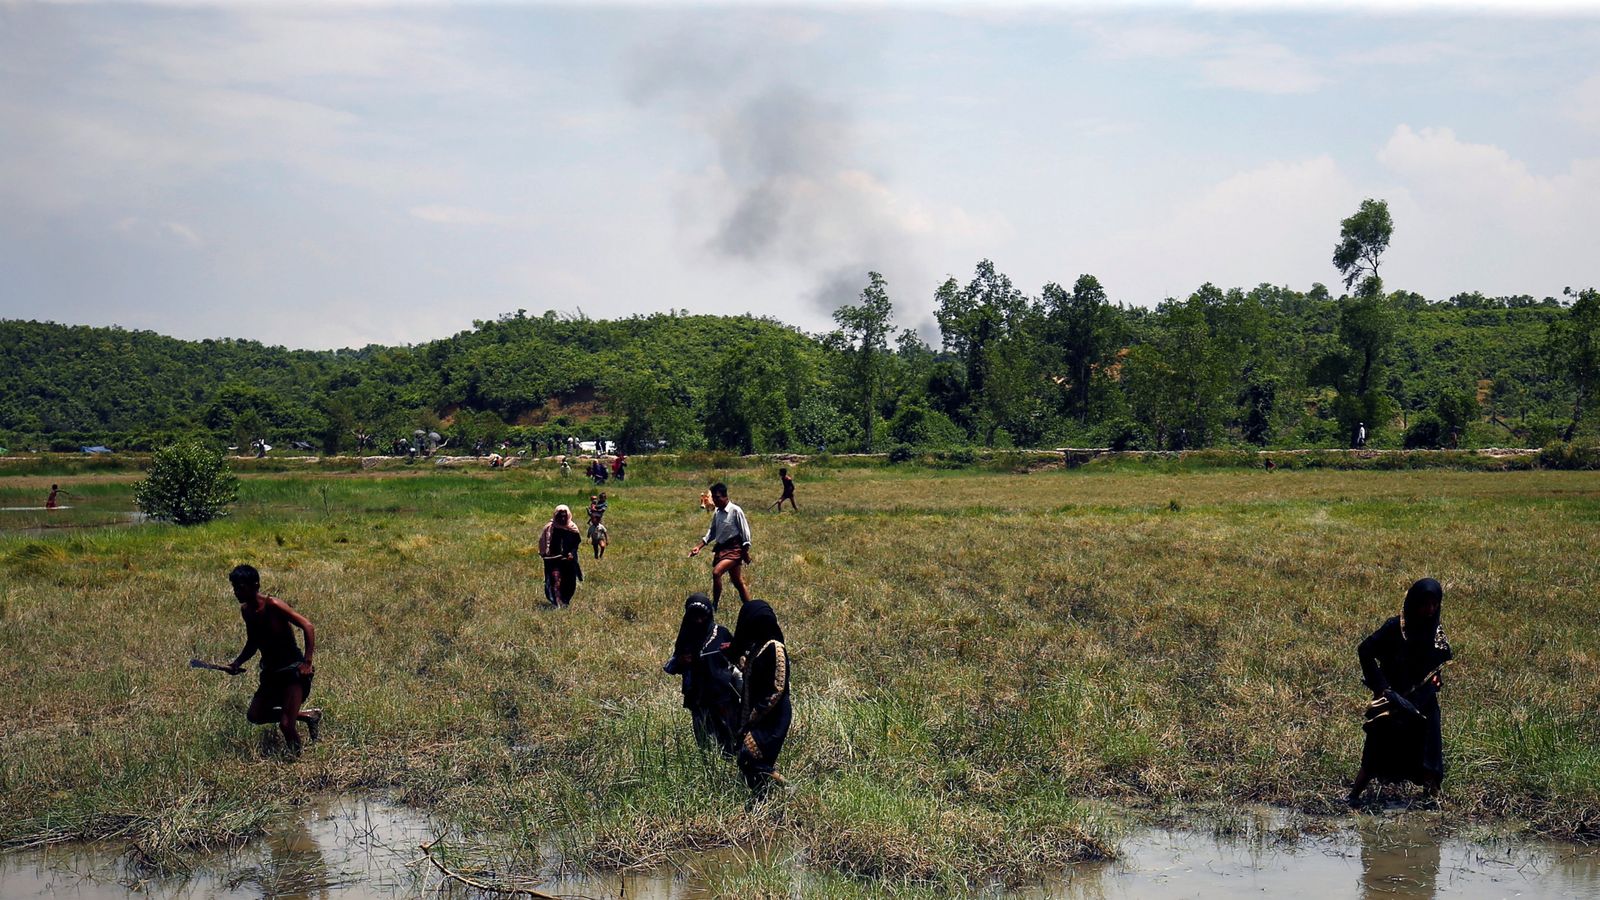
(1401, 665)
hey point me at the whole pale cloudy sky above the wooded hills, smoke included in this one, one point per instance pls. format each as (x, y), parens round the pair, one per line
(342, 175)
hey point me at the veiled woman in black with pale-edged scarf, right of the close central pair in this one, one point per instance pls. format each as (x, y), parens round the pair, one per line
(759, 645)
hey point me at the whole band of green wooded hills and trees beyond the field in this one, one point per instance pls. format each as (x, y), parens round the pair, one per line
(1270, 368)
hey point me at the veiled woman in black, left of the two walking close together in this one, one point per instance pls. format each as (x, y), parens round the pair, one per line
(710, 680)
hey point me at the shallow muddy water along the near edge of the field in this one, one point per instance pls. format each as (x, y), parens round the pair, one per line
(356, 851)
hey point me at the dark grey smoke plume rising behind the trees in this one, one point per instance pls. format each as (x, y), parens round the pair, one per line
(793, 185)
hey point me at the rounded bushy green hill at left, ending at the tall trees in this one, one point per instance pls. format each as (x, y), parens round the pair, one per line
(63, 385)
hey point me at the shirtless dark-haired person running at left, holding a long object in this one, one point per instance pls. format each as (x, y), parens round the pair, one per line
(286, 672)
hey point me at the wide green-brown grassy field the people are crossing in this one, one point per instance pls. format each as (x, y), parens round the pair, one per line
(991, 670)
